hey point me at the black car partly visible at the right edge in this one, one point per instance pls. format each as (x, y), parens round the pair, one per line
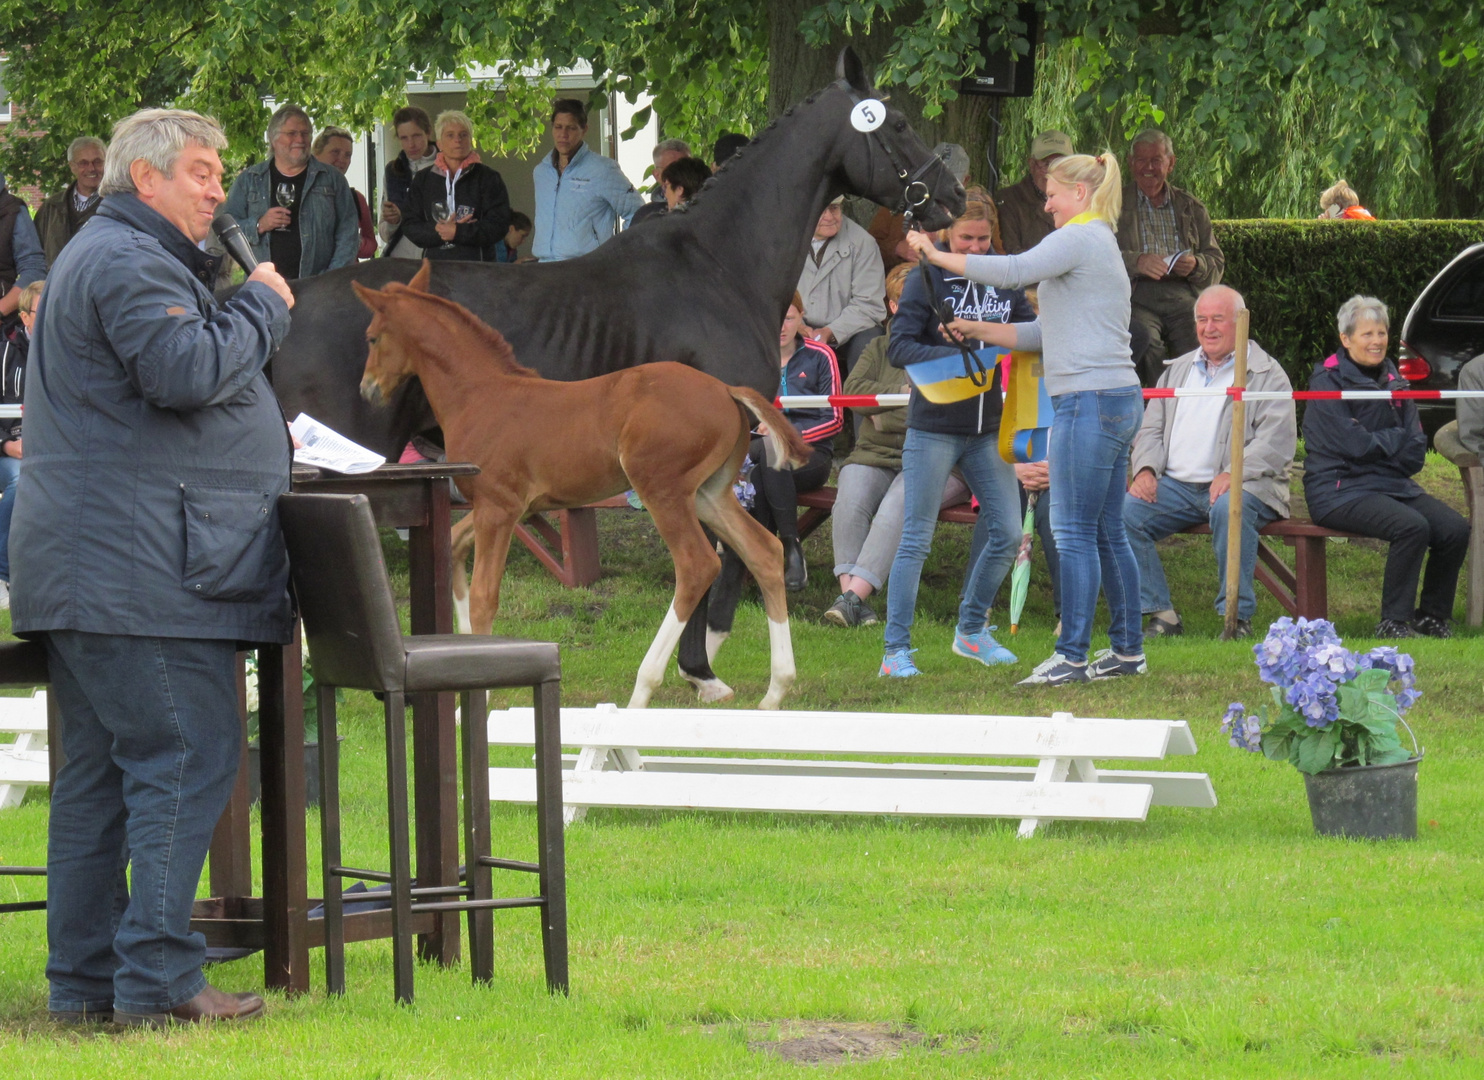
(1445, 330)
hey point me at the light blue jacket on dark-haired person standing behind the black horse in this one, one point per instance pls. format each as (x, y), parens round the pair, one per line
(577, 210)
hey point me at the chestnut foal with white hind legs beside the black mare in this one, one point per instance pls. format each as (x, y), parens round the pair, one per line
(673, 434)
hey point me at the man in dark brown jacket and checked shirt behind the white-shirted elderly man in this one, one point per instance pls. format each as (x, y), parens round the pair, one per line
(1169, 250)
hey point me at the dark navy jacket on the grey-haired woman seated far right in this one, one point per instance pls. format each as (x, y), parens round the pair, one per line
(1359, 447)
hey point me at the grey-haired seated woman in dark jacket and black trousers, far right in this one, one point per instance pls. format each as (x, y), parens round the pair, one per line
(1357, 478)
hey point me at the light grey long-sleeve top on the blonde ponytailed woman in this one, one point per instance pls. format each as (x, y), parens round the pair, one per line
(1084, 293)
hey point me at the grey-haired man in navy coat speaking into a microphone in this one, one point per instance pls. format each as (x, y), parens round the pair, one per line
(146, 547)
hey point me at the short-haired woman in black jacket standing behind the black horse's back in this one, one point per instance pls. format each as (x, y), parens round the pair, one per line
(459, 208)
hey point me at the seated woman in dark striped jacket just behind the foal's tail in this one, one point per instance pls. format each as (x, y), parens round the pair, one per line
(805, 367)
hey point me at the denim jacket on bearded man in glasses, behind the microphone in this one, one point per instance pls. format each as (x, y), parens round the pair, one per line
(329, 222)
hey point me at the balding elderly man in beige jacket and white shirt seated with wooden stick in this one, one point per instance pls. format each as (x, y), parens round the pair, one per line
(1182, 462)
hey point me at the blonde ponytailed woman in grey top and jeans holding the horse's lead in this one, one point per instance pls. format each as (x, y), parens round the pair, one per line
(1083, 335)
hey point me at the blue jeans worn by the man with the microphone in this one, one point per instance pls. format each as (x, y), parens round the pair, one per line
(152, 740)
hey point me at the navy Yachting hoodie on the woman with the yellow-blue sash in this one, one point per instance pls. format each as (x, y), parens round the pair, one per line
(916, 337)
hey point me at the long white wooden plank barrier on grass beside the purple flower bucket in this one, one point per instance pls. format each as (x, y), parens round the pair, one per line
(1065, 784)
